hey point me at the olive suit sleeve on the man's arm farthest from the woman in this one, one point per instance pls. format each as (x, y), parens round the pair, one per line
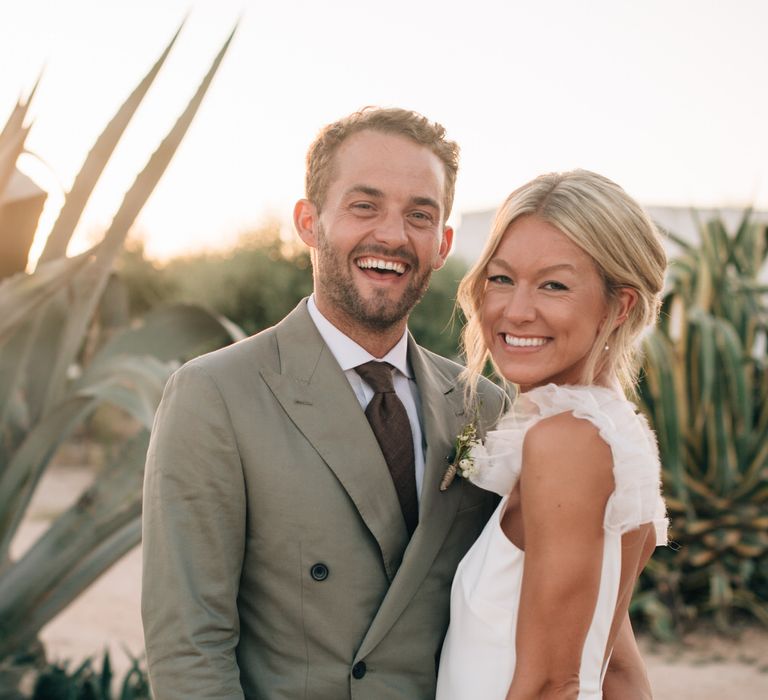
(193, 543)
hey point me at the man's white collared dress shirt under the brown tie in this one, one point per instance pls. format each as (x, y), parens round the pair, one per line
(350, 355)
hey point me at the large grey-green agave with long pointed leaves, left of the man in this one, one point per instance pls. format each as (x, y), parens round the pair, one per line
(66, 348)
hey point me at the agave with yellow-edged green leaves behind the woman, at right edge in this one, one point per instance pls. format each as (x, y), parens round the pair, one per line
(705, 389)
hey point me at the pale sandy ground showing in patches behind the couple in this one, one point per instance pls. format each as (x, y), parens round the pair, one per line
(107, 615)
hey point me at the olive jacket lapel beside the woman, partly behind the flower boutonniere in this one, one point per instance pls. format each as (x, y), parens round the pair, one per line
(442, 409)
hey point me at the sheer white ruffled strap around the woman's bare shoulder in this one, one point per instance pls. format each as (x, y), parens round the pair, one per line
(636, 499)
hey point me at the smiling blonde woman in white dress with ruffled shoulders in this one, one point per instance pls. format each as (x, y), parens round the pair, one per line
(568, 280)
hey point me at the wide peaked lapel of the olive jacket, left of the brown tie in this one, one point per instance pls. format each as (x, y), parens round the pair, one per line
(316, 395)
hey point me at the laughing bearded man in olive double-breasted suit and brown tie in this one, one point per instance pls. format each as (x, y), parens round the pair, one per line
(296, 542)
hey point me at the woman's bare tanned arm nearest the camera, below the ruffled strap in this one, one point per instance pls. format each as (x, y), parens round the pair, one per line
(565, 483)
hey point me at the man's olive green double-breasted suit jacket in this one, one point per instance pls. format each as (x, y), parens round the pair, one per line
(276, 558)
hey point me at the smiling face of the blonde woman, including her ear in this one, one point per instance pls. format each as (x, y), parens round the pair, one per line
(542, 312)
